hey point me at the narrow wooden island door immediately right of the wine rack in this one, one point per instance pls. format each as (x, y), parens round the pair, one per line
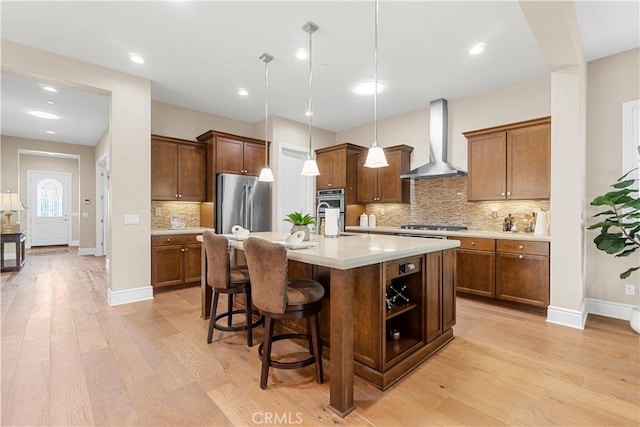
(433, 296)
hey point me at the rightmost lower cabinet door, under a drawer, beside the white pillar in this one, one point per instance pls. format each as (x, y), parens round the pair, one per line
(523, 278)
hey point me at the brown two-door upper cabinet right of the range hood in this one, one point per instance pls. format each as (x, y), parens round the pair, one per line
(510, 162)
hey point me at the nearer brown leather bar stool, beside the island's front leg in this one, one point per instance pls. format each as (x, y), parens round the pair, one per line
(278, 297)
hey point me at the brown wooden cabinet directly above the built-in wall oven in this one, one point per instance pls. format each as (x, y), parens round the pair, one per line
(337, 166)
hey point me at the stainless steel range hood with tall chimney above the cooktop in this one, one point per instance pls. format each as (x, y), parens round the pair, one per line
(437, 166)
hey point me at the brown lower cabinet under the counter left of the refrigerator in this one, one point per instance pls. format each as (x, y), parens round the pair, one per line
(175, 260)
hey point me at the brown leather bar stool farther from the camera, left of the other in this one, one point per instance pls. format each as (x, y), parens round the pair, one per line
(225, 279)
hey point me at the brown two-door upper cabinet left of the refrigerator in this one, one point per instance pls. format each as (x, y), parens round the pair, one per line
(178, 169)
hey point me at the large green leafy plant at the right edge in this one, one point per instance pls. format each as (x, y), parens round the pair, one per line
(620, 228)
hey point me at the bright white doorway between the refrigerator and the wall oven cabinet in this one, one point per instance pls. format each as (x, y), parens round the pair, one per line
(295, 192)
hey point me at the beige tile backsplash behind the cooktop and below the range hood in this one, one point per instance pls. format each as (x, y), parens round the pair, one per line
(444, 201)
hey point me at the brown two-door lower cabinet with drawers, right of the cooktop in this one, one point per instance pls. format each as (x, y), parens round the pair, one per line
(503, 269)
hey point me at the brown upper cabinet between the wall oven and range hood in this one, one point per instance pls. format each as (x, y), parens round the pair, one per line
(384, 185)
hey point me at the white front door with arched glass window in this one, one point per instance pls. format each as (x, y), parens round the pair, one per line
(49, 207)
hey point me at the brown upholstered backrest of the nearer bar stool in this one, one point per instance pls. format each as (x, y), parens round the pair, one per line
(267, 264)
